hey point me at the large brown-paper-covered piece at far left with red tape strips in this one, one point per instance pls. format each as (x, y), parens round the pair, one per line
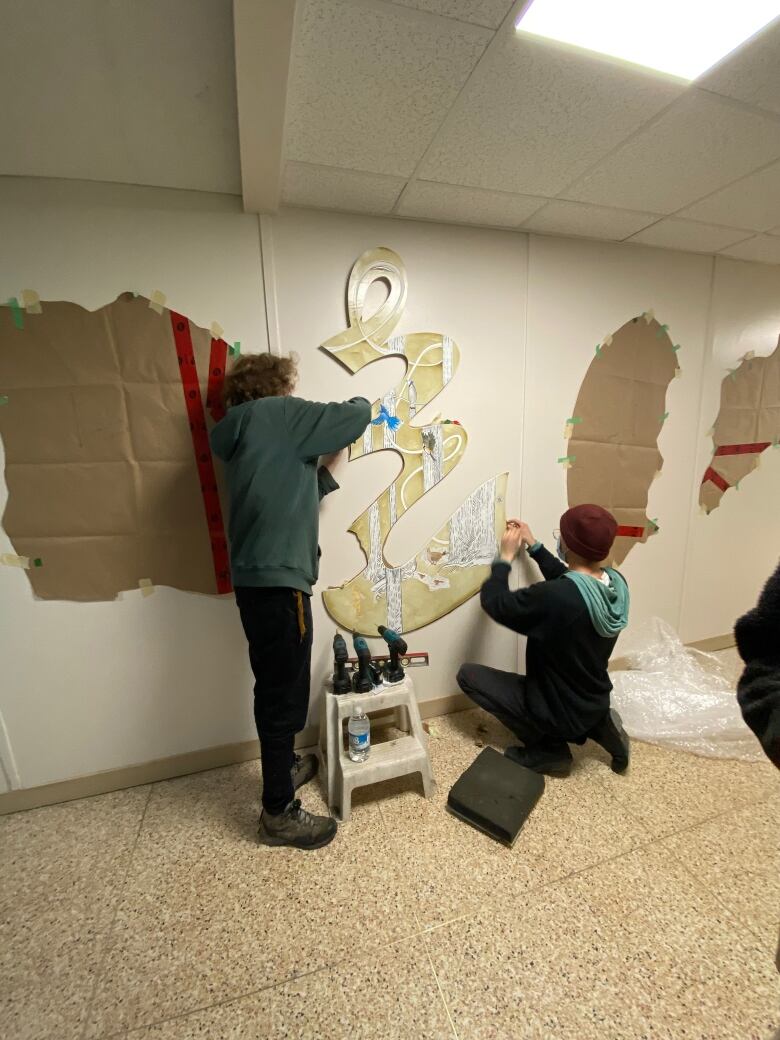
(111, 481)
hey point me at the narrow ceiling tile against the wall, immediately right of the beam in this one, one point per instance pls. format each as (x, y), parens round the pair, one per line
(325, 188)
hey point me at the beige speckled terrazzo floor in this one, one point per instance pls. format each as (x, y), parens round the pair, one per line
(632, 908)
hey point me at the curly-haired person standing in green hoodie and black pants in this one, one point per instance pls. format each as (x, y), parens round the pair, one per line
(271, 444)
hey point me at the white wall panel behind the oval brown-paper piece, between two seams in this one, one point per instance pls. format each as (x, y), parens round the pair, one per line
(579, 294)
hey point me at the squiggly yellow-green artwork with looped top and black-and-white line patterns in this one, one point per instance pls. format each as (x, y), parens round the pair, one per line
(456, 561)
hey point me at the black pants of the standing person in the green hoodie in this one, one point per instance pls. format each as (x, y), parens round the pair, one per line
(279, 631)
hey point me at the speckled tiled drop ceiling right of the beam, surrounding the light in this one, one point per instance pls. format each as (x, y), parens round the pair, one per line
(534, 122)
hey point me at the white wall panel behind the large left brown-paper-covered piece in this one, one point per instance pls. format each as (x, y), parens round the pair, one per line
(90, 687)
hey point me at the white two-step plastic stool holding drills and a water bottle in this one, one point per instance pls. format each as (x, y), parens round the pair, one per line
(395, 759)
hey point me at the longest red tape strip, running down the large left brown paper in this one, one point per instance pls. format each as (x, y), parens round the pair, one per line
(202, 449)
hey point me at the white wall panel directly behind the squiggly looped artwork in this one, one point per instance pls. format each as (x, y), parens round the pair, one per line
(470, 284)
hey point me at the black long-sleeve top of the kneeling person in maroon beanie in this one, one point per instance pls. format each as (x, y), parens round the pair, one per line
(566, 663)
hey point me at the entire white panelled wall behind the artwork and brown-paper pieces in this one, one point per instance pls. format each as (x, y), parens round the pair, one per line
(100, 686)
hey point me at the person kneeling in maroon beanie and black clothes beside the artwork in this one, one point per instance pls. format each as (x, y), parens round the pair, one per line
(573, 621)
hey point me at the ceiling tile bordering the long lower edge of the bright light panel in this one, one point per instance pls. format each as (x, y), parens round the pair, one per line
(534, 117)
